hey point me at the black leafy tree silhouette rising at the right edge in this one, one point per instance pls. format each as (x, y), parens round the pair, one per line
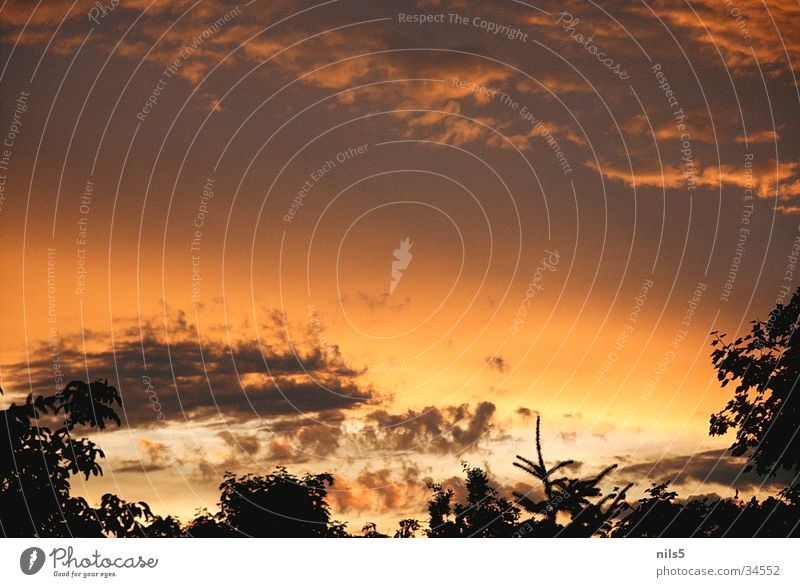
(765, 408)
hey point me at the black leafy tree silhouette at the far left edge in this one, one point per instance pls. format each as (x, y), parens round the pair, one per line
(36, 462)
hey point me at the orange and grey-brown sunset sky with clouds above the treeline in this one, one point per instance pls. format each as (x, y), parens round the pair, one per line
(203, 202)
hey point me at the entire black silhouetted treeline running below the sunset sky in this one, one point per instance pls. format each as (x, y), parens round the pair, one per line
(40, 451)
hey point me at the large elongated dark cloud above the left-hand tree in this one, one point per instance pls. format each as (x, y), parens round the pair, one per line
(193, 379)
